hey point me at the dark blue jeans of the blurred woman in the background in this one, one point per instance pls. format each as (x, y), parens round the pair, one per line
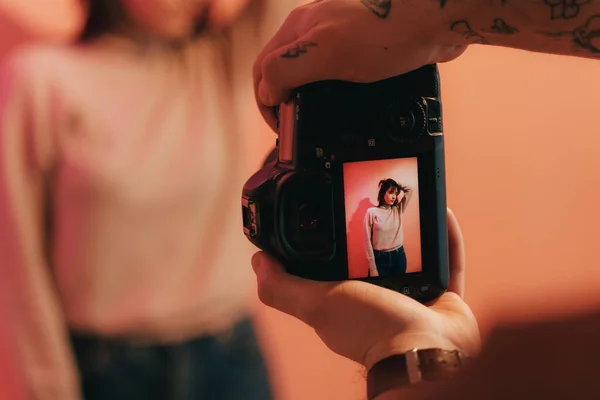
(209, 368)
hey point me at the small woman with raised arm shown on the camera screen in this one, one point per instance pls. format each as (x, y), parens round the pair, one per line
(384, 233)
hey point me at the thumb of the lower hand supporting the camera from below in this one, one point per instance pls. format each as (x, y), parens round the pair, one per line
(289, 294)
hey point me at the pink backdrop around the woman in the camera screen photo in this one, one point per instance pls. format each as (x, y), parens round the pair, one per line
(361, 180)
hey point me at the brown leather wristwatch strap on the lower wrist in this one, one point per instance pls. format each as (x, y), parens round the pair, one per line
(415, 366)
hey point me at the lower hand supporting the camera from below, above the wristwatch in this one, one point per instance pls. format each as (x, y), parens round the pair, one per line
(367, 323)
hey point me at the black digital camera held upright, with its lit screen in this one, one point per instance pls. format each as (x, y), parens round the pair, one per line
(355, 187)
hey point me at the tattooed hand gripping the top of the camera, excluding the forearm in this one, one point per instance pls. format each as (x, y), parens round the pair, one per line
(354, 40)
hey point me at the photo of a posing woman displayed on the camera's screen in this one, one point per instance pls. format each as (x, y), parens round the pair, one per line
(382, 218)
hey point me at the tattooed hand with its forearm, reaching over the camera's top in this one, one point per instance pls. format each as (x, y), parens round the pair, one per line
(369, 40)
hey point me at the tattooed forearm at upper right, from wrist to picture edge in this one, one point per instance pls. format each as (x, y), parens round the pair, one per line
(567, 27)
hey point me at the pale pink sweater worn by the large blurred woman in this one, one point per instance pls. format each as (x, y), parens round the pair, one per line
(120, 183)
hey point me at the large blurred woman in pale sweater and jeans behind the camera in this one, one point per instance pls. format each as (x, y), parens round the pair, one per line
(123, 263)
